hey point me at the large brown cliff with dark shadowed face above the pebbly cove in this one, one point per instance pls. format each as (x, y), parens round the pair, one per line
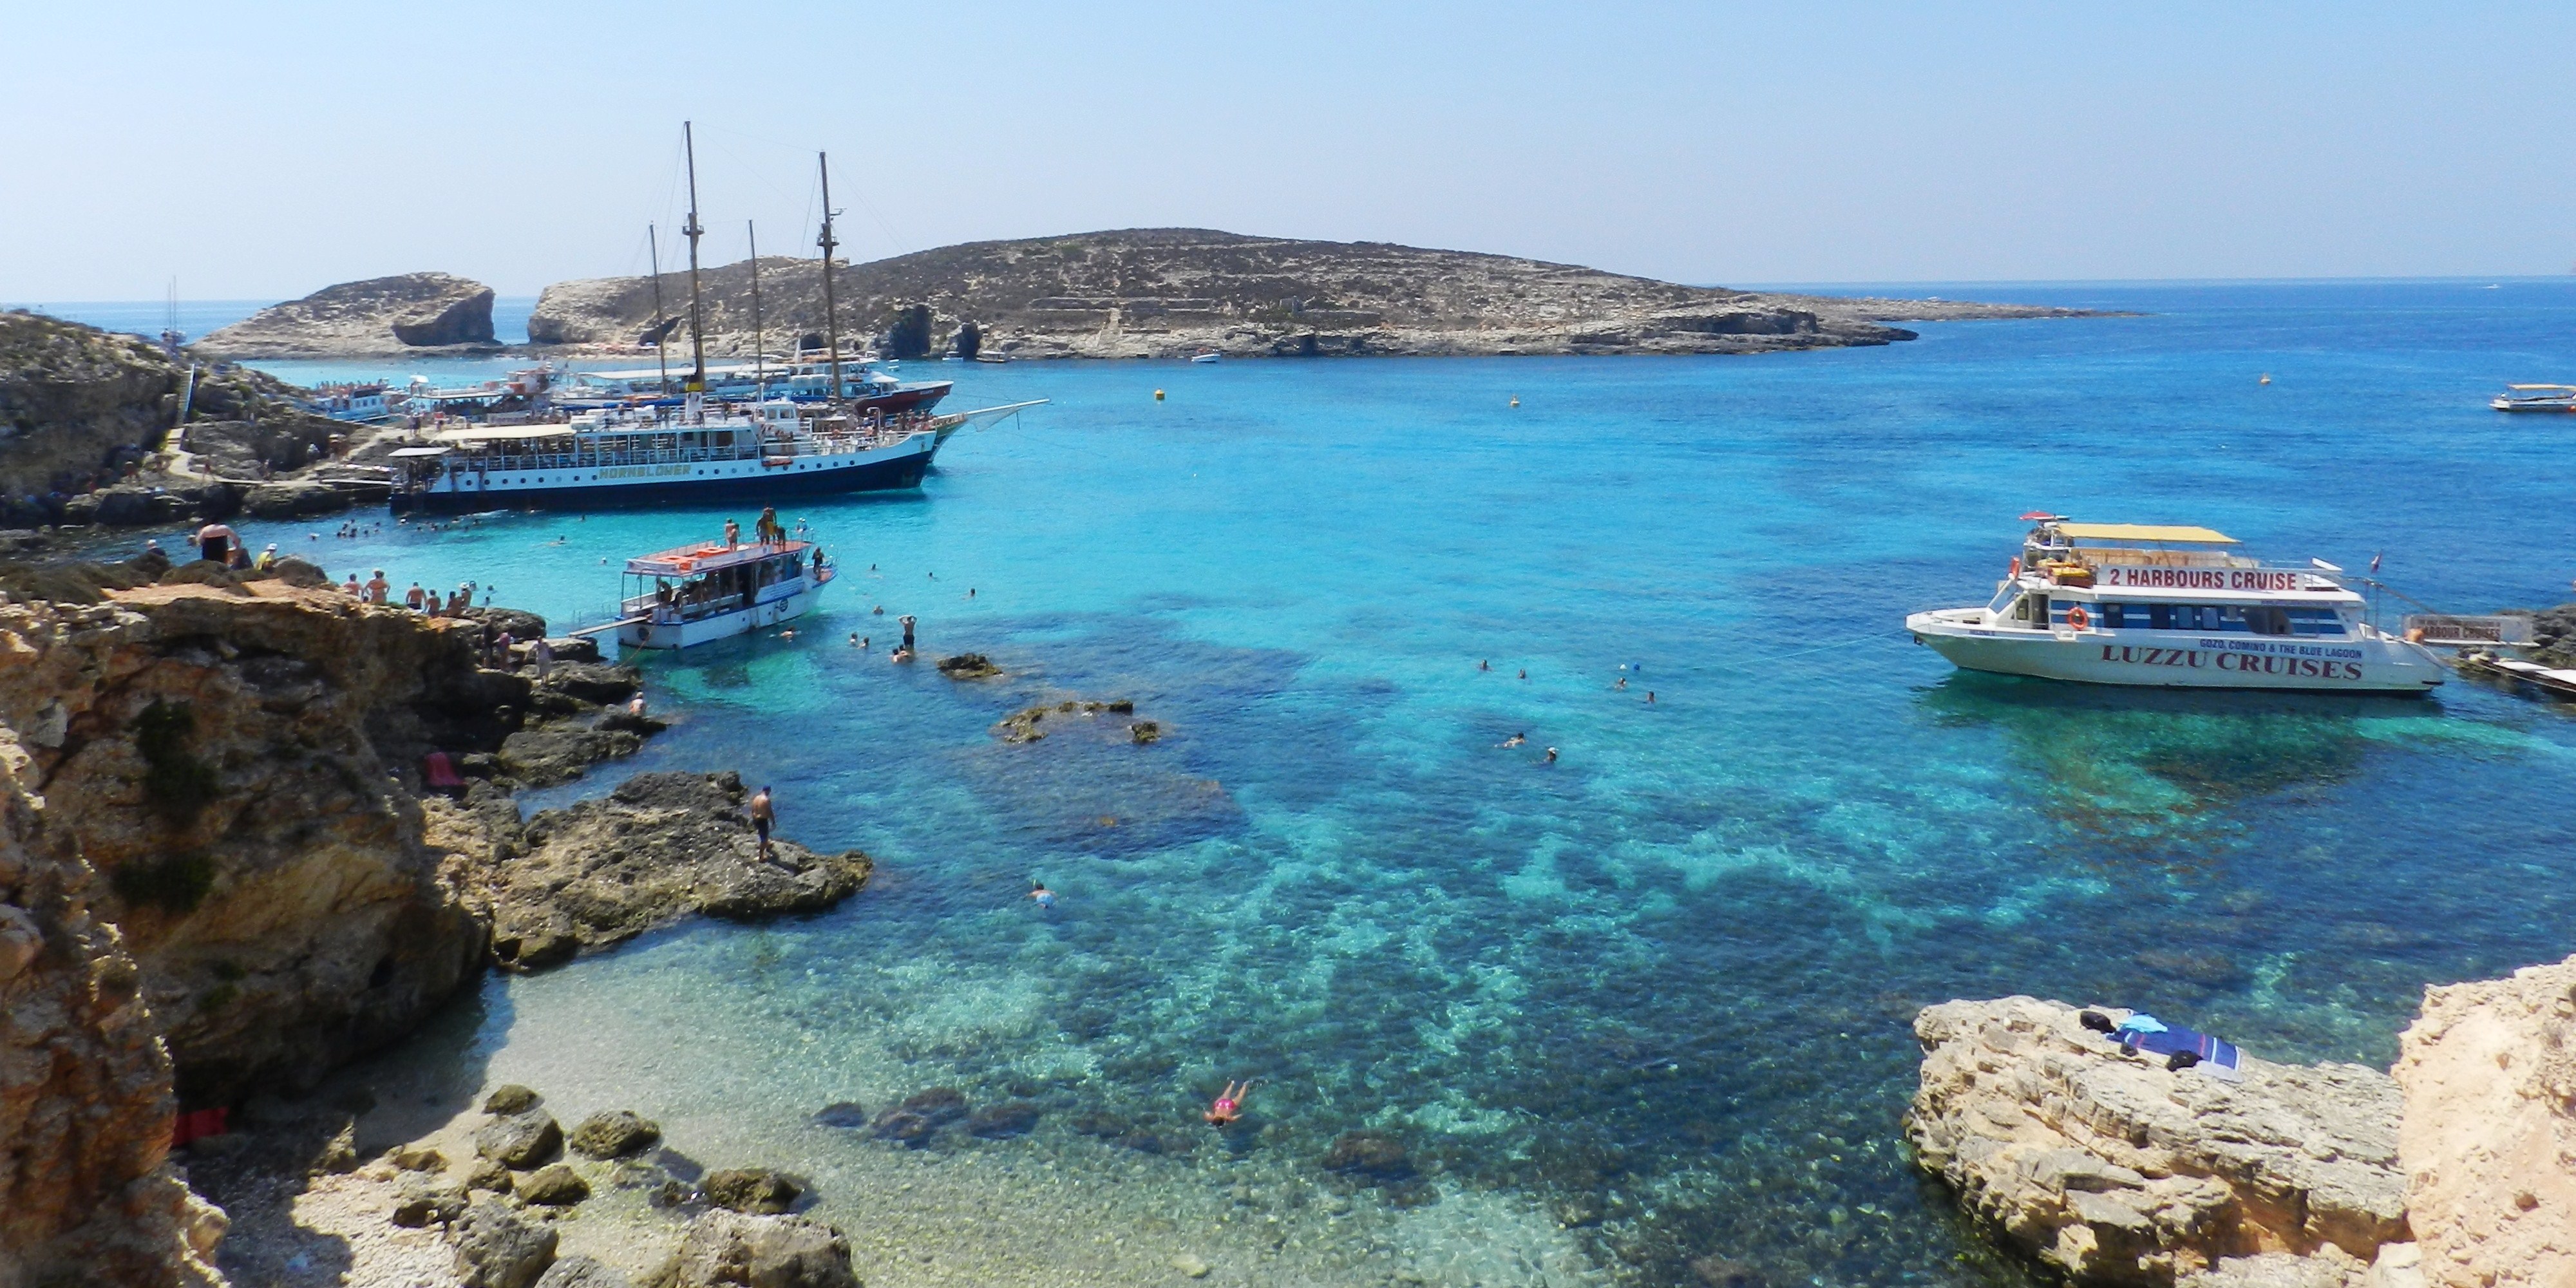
(238, 764)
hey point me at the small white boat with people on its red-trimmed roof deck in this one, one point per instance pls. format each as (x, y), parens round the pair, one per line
(715, 591)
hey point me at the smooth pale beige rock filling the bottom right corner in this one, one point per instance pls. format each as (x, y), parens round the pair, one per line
(2490, 1137)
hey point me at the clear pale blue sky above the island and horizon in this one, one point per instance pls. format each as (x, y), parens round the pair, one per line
(269, 151)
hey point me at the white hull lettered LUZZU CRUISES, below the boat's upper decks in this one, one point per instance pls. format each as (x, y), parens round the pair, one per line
(2181, 658)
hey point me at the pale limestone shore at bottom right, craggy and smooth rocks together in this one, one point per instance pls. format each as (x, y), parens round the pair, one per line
(2119, 1171)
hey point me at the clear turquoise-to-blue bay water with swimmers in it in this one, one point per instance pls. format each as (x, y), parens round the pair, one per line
(1665, 980)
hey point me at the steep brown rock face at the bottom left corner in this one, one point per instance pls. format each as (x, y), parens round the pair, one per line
(86, 1189)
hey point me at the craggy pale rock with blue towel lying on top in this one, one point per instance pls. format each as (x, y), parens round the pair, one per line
(2119, 1171)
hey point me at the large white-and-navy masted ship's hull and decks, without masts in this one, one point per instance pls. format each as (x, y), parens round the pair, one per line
(661, 455)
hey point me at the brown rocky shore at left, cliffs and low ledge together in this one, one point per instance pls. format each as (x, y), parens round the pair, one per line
(225, 872)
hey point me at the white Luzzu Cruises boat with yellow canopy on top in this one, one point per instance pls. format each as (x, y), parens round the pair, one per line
(2168, 607)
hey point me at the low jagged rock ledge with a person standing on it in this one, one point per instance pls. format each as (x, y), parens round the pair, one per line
(653, 851)
